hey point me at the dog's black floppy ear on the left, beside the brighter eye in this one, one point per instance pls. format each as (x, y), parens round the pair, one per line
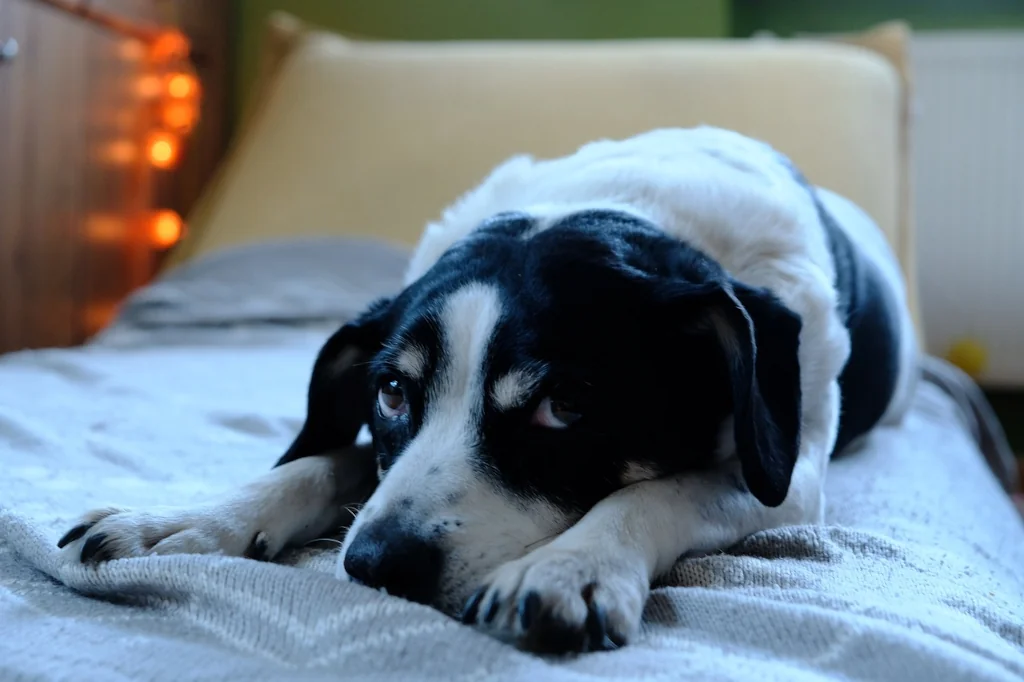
(338, 405)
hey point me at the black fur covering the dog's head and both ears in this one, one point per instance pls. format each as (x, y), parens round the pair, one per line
(618, 314)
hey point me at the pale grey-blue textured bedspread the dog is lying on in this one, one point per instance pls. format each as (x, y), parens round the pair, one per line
(919, 575)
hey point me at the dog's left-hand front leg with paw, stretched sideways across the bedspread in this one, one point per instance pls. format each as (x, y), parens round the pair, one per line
(290, 505)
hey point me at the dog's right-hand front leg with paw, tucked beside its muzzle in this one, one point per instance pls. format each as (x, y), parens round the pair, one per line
(586, 589)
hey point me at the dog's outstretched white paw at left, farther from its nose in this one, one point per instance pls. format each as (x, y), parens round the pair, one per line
(111, 534)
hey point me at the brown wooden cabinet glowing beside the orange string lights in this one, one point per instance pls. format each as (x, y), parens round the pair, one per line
(72, 183)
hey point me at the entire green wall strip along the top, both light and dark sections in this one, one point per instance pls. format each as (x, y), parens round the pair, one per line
(455, 20)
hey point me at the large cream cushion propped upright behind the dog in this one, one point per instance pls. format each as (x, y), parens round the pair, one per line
(376, 139)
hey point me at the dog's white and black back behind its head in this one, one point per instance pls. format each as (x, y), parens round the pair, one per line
(742, 203)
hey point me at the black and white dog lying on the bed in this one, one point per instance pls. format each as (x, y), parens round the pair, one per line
(601, 364)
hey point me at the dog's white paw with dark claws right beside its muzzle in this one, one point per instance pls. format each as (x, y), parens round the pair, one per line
(564, 601)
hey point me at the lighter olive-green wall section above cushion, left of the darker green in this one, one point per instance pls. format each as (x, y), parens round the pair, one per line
(455, 20)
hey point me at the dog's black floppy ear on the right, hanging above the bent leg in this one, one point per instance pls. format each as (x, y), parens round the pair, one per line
(761, 337)
